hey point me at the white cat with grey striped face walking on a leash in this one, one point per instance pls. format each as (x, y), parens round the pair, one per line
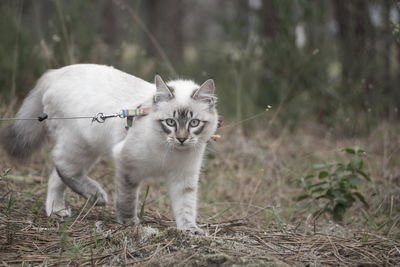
(169, 142)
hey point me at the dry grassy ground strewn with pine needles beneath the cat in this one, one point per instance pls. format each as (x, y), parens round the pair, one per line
(247, 203)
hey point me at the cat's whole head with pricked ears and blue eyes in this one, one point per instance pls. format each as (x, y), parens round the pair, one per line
(185, 112)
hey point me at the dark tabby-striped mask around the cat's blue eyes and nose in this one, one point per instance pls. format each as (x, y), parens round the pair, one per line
(183, 125)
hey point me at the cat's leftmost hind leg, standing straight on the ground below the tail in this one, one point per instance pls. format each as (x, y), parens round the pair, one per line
(55, 203)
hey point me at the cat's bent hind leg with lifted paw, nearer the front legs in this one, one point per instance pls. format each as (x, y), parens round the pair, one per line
(72, 163)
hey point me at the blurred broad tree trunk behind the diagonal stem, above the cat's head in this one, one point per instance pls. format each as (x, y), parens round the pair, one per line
(164, 20)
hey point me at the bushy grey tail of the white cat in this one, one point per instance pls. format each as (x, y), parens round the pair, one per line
(23, 137)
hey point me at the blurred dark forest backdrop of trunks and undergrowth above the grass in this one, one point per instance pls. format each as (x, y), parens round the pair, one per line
(335, 62)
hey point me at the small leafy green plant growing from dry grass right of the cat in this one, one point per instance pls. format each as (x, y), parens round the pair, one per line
(336, 185)
